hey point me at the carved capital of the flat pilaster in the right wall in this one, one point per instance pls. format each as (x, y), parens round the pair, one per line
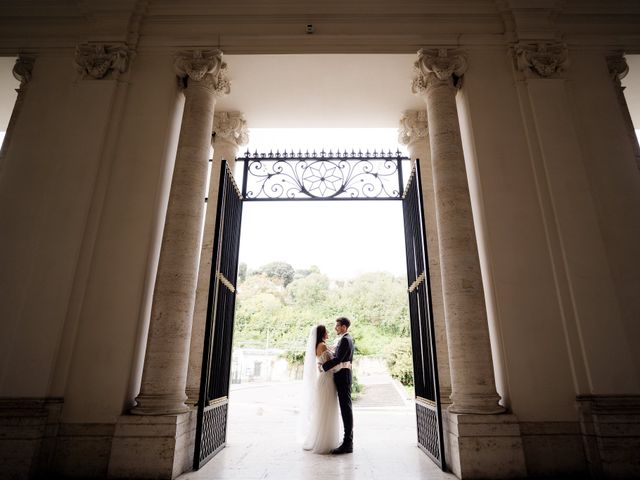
(544, 60)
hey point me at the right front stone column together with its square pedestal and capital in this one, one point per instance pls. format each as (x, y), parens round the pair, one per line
(478, 444)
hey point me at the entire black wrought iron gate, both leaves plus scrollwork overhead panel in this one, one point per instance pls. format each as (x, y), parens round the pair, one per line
(323, 176)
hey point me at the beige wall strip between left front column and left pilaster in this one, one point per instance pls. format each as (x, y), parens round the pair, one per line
(111, 335)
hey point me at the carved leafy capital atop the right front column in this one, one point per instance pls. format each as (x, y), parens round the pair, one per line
(440, 65)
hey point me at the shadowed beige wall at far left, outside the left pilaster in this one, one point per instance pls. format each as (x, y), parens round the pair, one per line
(45, 190)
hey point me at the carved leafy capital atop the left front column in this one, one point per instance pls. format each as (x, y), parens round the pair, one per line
(203, 66)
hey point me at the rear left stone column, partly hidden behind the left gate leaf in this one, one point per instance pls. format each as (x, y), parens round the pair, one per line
(229, 134)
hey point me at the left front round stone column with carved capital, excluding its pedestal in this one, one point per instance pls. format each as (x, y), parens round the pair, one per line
(165, 367)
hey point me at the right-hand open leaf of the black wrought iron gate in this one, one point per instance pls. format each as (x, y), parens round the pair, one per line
(425, 371)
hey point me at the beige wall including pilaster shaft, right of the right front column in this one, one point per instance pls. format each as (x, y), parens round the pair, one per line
(554, 184)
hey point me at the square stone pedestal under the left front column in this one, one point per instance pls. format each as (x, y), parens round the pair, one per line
(146, 447)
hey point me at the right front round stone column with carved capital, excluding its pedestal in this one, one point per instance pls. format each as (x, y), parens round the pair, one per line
(472, 379)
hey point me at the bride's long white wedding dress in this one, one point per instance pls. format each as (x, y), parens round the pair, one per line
(321, 414)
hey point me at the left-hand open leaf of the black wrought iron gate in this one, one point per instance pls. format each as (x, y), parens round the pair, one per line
(211, 427)
